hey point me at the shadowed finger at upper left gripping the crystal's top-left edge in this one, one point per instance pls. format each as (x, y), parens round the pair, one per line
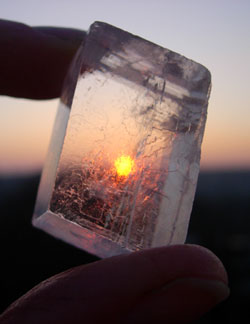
(34, 61)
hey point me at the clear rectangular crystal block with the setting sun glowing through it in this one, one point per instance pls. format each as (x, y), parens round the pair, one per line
(123, 162)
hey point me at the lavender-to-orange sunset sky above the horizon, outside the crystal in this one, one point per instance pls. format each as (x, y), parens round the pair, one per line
(215, 33)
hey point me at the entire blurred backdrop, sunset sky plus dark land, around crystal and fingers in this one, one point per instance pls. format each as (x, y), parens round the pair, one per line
(213, 33)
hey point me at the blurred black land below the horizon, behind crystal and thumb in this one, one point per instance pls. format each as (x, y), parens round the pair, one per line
(219, 221)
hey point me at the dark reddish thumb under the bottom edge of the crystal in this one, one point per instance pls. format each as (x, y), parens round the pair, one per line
(174, 284)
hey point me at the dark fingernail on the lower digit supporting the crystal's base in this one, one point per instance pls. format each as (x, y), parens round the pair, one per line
(180, 301)
